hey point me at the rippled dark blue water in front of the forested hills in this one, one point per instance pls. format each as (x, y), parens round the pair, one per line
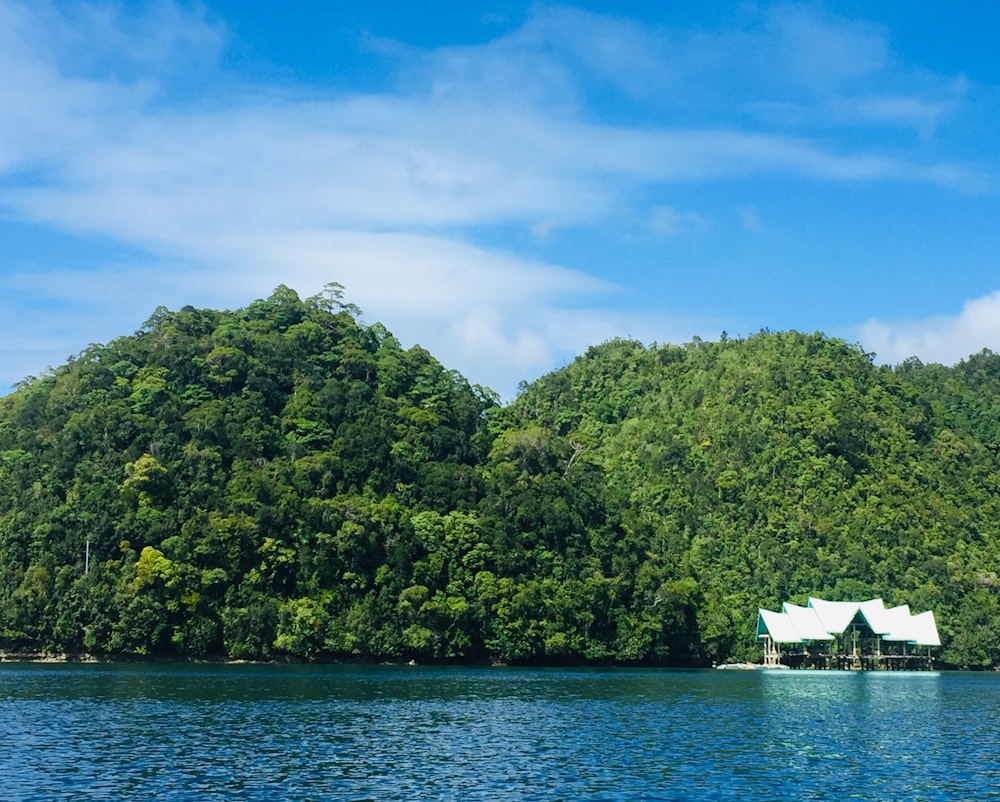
(245, 732)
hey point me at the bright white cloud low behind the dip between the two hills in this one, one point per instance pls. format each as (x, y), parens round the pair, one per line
(495, 317)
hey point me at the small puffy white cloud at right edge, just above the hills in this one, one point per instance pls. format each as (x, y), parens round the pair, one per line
(945, 339)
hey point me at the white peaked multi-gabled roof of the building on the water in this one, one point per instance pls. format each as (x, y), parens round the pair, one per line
(824, 620)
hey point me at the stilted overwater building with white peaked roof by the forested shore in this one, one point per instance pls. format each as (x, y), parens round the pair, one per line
(848, 635)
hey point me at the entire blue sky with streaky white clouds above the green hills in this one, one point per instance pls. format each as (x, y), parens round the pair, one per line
(504, 183)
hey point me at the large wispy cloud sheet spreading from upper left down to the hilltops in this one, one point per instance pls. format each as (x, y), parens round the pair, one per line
(126, 126)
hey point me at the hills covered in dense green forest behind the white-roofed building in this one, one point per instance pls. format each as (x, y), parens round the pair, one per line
(283, 480)
